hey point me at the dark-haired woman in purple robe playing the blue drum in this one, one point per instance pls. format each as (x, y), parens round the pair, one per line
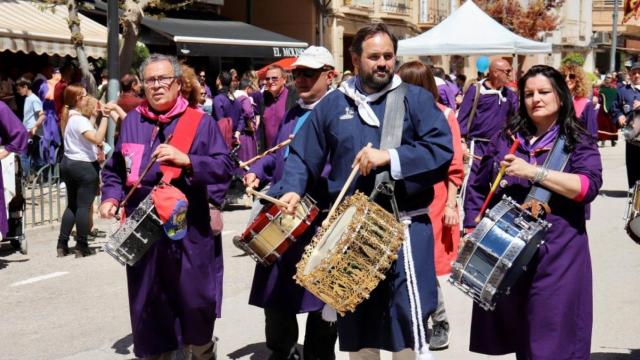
(548, 314)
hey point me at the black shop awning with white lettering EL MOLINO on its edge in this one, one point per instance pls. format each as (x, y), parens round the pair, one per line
(224, 38)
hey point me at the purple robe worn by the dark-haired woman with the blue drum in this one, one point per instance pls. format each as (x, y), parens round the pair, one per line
(548, 314)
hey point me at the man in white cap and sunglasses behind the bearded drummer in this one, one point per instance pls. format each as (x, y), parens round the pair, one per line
(273, 287)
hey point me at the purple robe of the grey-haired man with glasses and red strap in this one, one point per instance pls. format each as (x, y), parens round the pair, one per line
(175, 290)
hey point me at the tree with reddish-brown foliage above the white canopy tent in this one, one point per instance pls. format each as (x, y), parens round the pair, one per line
(530, 22)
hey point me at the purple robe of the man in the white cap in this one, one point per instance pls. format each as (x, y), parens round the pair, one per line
(273, 286)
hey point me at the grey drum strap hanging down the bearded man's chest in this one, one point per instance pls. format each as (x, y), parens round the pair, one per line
(391, 138)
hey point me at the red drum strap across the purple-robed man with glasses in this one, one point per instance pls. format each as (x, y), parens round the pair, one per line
(182, 139)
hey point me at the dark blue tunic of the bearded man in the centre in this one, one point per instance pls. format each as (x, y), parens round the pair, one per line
(334, 126)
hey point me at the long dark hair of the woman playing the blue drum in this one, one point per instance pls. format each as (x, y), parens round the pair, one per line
(567, 120)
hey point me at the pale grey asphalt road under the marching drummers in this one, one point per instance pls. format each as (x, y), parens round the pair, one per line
(70, 308)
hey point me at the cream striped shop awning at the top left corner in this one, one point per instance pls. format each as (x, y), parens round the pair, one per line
(27, 28)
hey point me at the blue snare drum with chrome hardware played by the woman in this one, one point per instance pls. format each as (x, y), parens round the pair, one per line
(496, 253)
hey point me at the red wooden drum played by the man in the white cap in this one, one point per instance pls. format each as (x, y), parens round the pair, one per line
(272, 232)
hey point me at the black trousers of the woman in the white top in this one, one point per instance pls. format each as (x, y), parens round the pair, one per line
(81, 179)
